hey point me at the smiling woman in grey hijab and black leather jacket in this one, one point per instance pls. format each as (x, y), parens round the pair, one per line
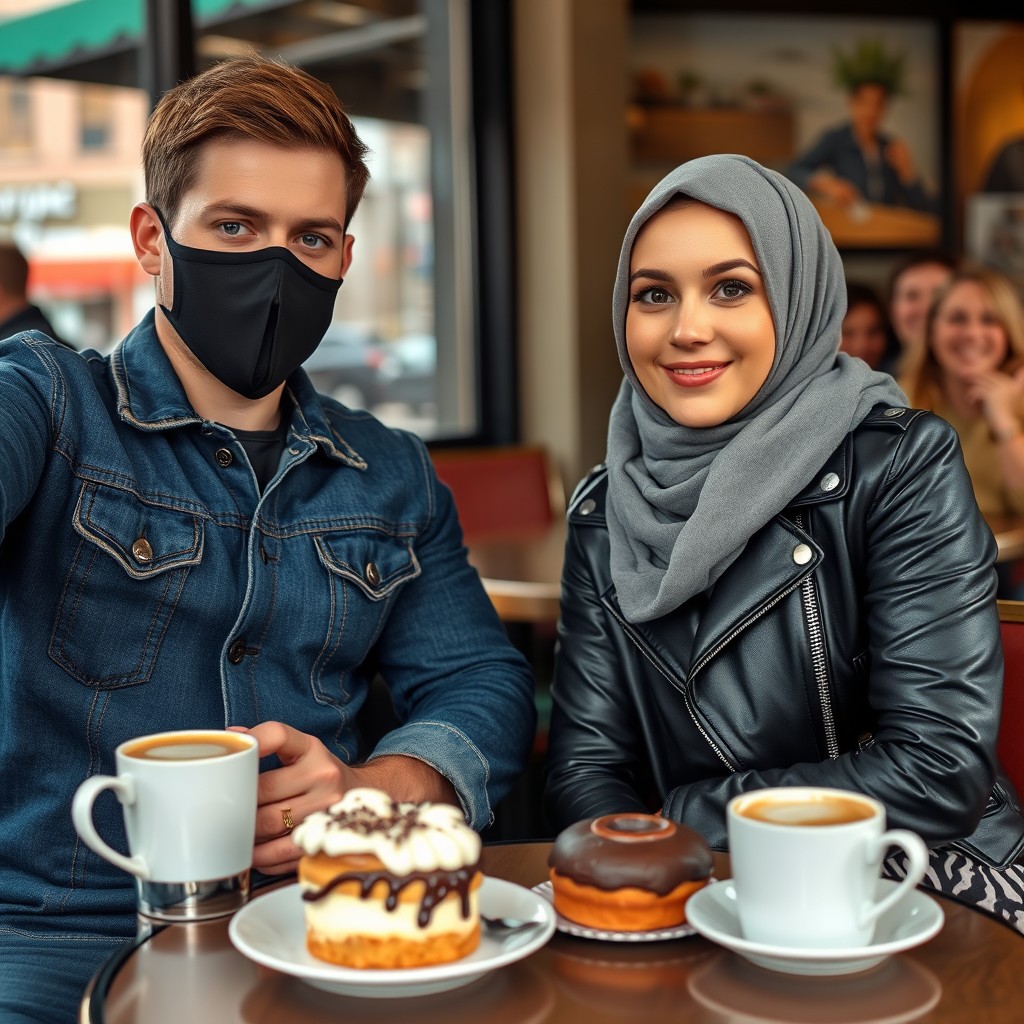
(781, 577)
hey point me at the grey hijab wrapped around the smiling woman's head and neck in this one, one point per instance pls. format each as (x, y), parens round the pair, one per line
(685, 501)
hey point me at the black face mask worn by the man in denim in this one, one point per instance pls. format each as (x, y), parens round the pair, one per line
(250, 318)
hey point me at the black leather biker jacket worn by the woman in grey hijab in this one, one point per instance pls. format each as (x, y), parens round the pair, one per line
(855, 644)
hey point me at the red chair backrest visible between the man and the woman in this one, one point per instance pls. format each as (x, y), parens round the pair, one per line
(501, 491)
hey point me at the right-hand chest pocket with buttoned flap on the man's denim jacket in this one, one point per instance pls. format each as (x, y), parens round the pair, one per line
(365, 571)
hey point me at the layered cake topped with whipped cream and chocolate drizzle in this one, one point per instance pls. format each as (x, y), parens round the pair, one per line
(389, 884)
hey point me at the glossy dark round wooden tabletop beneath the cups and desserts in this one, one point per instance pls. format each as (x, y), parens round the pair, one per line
(971, 973)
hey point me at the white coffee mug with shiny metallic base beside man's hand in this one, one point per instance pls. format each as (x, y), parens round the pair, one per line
(190, 807)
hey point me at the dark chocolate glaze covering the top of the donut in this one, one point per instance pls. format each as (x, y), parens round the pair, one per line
(646, 851)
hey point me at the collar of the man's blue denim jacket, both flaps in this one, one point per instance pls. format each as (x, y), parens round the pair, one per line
(151, 398)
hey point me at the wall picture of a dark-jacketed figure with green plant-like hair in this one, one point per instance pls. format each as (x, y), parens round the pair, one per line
(849, 108)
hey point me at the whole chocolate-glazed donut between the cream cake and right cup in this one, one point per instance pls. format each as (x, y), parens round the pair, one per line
(628, 872)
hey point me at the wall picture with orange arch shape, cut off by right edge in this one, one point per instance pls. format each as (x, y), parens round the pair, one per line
(989, 143)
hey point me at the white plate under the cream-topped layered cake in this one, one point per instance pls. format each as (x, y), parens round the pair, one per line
(272, 931)
